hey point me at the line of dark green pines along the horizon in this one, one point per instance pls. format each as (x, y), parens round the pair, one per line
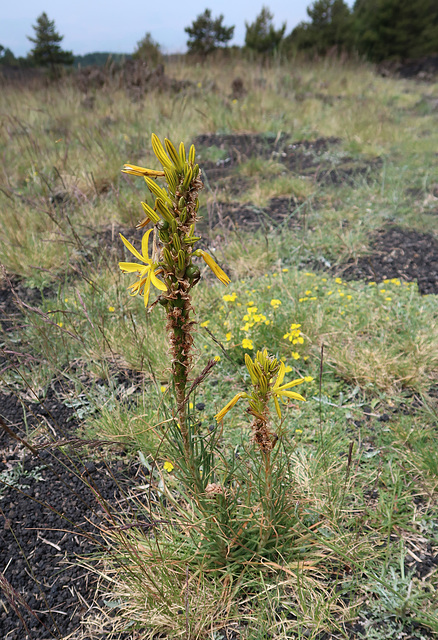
(375, 29)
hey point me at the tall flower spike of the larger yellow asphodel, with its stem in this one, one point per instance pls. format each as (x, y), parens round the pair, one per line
(174, 218)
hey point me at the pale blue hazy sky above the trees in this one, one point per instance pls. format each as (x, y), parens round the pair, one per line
(117, 25)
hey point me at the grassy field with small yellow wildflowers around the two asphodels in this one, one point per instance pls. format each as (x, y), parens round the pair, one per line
(345, 154)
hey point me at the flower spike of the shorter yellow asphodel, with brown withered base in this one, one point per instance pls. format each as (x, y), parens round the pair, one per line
(267, 375)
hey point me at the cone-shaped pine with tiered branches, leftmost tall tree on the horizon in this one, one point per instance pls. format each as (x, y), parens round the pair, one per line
(47, 52)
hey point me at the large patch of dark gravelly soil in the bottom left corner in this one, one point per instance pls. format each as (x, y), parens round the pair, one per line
(52, 502)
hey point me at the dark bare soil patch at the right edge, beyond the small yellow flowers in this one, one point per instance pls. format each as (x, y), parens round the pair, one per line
(398, 253)
